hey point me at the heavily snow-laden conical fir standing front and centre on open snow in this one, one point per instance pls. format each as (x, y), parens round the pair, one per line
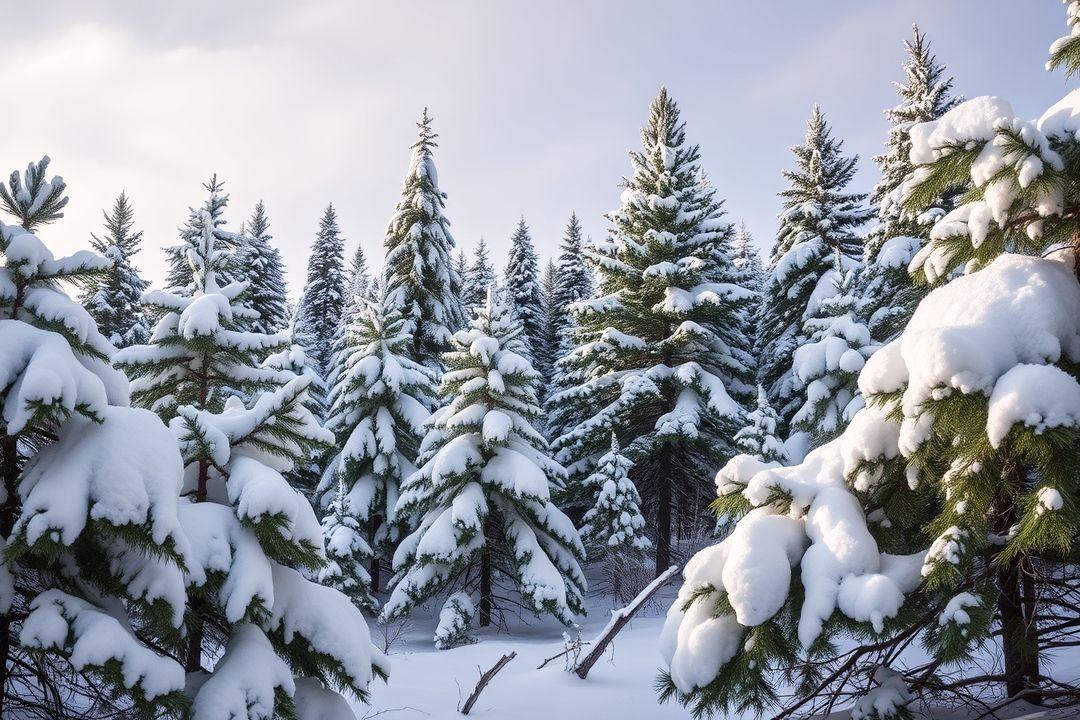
(482, 494)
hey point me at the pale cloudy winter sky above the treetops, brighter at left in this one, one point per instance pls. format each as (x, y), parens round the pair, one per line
(537, 104)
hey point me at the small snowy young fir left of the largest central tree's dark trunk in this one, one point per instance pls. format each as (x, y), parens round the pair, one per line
(615, 523)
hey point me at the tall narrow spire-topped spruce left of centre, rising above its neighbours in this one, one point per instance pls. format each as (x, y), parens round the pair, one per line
(421, 280)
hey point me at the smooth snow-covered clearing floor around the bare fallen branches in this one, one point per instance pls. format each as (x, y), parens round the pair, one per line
(433, 684)
